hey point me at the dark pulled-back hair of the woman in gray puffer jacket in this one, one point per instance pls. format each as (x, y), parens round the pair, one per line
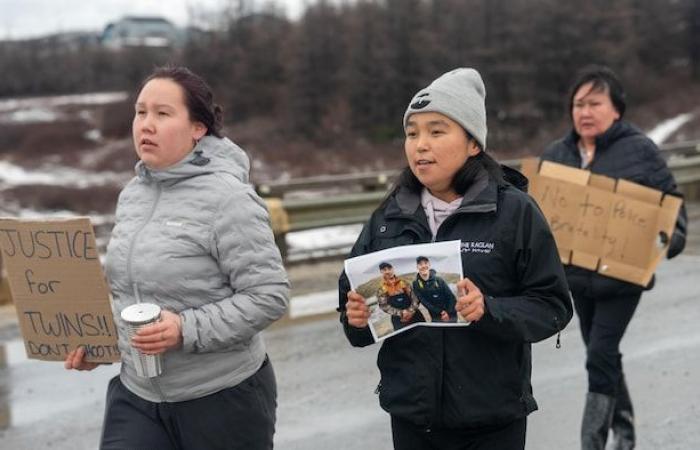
(199, 98)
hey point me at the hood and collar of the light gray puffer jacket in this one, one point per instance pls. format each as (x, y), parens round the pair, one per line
(211, 154)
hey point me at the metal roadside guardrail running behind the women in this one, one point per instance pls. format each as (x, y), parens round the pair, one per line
(330, 209)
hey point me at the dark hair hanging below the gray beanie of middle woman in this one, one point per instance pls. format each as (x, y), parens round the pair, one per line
(464, 177)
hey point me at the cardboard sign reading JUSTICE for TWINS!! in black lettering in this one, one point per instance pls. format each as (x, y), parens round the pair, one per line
(58, 288)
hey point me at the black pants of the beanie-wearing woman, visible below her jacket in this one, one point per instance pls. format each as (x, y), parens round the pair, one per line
(408, 436)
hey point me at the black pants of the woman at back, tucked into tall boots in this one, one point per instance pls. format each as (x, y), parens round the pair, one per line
(603, 321)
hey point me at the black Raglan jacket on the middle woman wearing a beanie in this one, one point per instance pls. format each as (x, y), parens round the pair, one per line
(477, 375)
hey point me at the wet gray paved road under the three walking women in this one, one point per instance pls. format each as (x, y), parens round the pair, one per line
(326, 387)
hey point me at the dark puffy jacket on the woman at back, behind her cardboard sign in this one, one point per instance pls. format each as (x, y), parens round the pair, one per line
(623, 151)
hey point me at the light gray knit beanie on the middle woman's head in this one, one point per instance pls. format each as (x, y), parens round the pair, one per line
(460, 95)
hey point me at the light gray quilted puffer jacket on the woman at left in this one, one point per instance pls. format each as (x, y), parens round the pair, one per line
(195, 239)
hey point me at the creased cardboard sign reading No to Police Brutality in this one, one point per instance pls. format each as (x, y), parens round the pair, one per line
(603, 224)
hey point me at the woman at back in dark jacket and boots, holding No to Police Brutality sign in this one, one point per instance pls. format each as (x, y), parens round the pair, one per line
(603, 143)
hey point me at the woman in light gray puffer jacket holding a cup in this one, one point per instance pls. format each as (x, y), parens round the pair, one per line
(192, 236)
